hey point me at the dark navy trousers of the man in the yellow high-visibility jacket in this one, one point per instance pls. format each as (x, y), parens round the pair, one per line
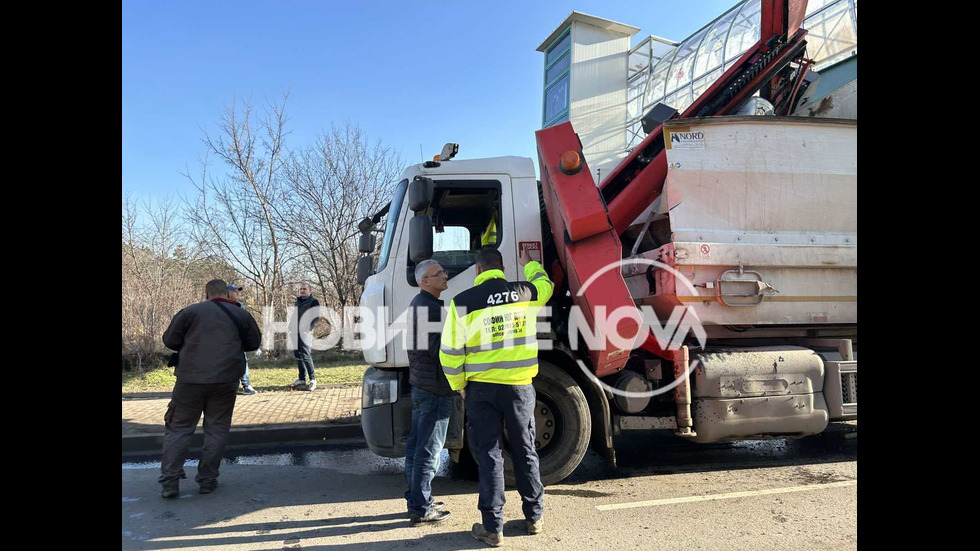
(490, 408)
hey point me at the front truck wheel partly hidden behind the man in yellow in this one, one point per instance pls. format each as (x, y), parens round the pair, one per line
(562, 422)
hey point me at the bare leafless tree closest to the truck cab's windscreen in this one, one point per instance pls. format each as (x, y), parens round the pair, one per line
(333, 185)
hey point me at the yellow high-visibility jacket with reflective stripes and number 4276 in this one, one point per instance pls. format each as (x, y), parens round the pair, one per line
(490, 333)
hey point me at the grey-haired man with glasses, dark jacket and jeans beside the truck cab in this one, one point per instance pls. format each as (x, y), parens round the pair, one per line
(432, 398)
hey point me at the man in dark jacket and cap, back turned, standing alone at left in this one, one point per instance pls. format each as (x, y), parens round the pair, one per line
(211, 338)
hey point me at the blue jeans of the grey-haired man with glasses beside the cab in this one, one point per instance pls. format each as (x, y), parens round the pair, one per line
(430, 421)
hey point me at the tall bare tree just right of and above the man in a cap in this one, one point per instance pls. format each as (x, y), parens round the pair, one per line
(233, 215)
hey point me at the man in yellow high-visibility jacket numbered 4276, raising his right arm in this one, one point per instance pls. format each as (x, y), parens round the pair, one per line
(489, 353)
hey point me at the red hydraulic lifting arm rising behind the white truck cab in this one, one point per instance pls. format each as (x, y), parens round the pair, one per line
(587, 221)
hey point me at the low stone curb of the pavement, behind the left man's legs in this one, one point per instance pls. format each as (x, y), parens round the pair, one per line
(143, 443)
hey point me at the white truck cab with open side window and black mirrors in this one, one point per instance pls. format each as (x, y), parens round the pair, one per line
(467, 196)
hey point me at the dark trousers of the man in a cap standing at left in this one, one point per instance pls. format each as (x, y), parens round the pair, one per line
(217, 403)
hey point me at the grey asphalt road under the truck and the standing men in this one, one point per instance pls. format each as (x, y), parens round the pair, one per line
(666, 494)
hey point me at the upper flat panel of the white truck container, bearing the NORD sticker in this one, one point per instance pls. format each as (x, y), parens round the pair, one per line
(782, 177)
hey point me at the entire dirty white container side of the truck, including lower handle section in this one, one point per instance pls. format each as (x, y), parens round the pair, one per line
(772, 195)
